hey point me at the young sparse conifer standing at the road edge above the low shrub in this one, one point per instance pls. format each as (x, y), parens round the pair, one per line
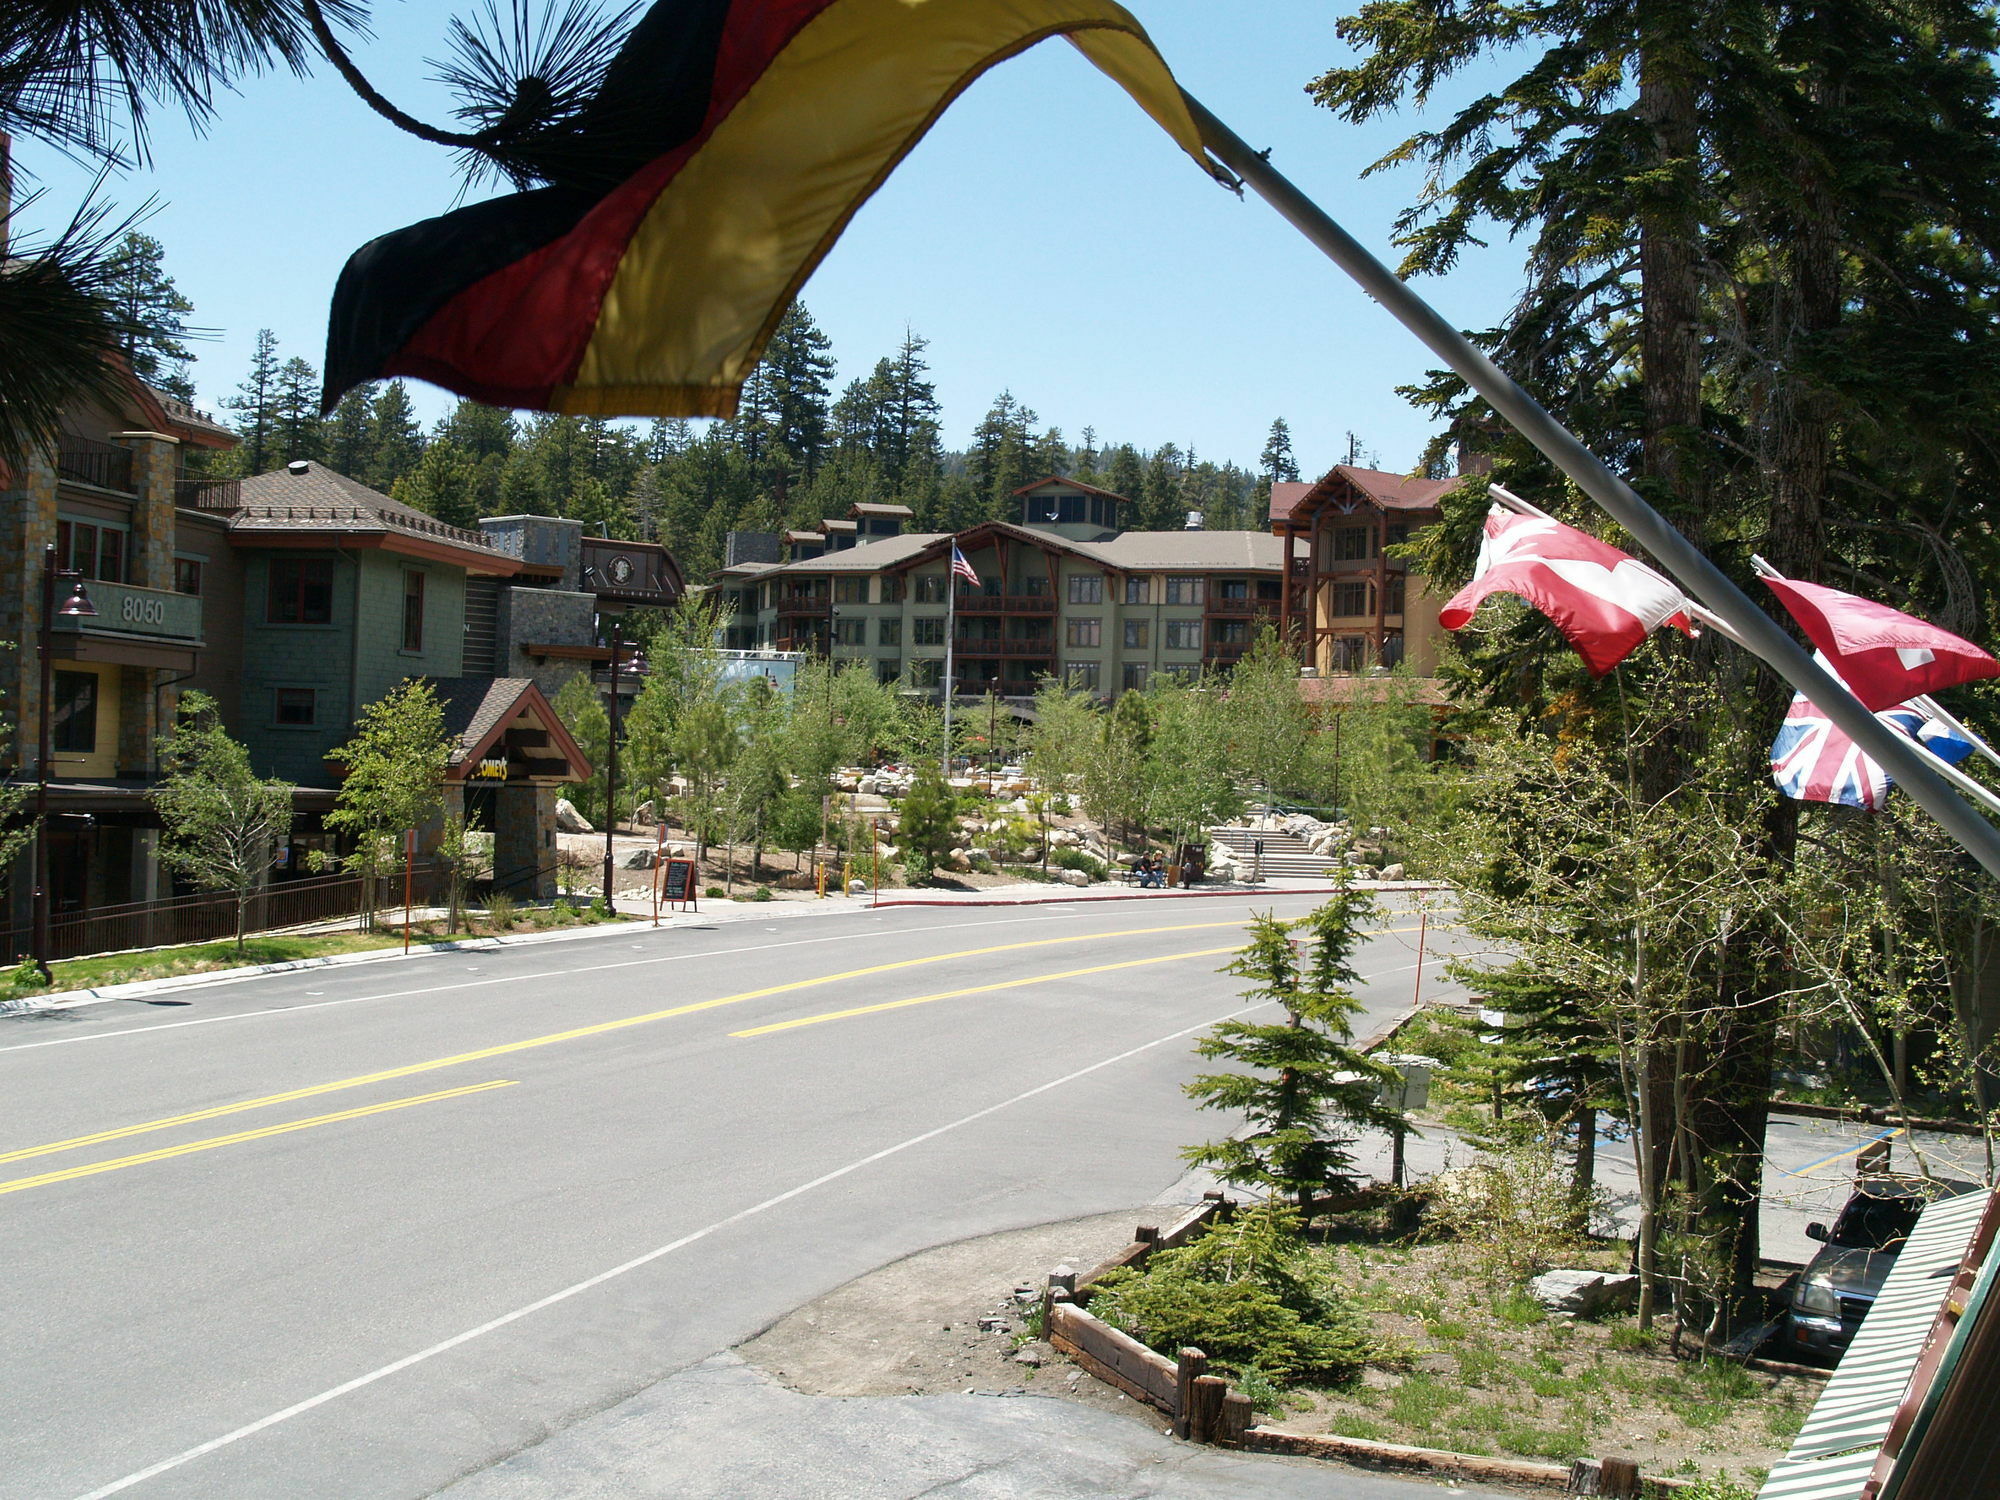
(1303, 1087)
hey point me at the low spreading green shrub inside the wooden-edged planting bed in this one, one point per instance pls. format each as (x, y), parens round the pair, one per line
(1253, 1297)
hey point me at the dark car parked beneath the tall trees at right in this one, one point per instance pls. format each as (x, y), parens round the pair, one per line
(1835, 1291)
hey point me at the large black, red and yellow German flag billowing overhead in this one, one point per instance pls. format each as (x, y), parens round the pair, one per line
(725, 153)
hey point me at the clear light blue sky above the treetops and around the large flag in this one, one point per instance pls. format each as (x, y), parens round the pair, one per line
(1047, 239)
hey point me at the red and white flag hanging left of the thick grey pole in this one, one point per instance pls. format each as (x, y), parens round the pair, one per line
(1603, 601)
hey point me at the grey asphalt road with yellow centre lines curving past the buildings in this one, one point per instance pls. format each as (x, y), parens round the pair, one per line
(367, 1231)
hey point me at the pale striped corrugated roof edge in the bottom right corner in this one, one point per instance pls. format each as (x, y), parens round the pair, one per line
(1837, 1447)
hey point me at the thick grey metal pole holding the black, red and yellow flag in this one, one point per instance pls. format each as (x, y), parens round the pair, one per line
(1697, 575)
